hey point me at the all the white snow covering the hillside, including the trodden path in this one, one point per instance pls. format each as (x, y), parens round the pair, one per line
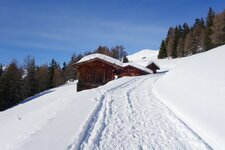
(180, 109)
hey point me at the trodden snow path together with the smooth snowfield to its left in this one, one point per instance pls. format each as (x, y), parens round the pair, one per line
(123, 114)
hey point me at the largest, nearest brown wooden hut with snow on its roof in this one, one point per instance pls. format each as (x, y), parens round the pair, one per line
(95, 70)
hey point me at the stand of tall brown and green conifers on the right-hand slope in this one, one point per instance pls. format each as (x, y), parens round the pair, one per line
(185, 40)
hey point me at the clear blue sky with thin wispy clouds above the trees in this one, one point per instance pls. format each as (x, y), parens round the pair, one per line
(49, 29)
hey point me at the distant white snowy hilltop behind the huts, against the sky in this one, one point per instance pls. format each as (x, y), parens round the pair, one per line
(143, 54)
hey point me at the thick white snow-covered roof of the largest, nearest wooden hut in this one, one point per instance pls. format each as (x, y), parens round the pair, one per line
(102, 57)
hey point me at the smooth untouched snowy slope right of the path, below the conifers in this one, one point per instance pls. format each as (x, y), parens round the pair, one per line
(195, 90)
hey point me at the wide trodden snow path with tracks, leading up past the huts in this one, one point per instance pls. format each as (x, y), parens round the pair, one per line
(129, 117)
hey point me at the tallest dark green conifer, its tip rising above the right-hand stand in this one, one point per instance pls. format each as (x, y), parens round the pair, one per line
(208, 31)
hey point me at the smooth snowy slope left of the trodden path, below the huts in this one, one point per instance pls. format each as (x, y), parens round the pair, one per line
(50, 120)
